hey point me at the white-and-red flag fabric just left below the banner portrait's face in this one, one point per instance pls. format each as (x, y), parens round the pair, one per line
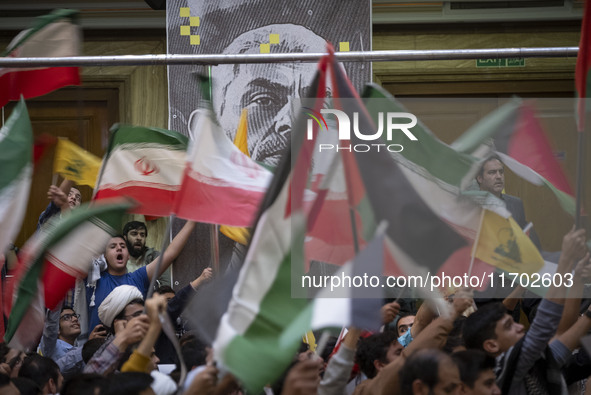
(220, 185)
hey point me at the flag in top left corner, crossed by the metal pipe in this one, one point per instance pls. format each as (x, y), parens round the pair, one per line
(53, 35)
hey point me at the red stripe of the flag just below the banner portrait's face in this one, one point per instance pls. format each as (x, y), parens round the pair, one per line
(226, 205)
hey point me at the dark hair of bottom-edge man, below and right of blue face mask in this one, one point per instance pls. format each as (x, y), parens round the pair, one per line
(422, 365)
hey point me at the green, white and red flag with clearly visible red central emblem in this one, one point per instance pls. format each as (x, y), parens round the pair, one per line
(145, 164)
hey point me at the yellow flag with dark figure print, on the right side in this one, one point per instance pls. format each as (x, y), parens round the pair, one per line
(503, 244)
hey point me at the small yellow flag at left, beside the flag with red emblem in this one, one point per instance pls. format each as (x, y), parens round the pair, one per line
(75, 163)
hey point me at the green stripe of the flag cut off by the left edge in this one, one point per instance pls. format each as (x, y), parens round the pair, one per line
(16, 144)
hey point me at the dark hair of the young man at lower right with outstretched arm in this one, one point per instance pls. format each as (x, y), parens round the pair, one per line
(481, 324)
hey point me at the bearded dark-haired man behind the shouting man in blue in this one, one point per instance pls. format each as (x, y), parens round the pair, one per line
(135, 234)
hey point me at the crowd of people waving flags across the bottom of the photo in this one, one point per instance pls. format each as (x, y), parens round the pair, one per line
(109, 339)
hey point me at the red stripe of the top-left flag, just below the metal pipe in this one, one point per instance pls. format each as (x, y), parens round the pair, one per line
(33, 83)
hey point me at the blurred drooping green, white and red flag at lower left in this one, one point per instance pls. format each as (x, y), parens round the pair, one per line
(53, 259)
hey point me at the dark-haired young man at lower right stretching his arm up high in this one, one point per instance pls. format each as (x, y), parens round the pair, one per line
(526, 363)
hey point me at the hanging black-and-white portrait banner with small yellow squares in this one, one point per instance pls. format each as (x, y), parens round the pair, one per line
(268, 92)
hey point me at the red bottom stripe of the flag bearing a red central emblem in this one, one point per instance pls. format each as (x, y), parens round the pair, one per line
(151, 200)
